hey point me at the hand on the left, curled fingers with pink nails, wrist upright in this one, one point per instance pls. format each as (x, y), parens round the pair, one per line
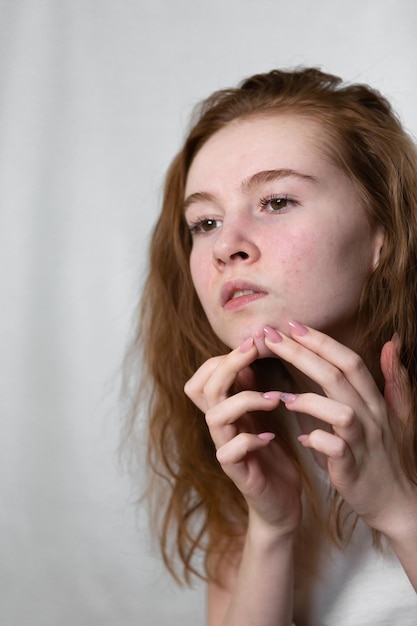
(252, 459)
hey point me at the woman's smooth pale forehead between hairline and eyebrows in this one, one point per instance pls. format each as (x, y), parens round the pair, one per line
(245, 146)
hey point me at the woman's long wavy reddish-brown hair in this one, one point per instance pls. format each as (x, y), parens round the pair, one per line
(194, 503)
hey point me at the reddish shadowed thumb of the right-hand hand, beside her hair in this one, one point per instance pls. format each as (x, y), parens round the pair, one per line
(397, 391)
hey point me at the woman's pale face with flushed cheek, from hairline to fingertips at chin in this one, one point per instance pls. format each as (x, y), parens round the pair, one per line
(278, 231)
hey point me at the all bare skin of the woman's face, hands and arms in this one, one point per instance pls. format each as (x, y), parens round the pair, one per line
(275, 256)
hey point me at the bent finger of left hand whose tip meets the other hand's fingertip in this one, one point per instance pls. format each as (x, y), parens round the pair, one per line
(221, 419)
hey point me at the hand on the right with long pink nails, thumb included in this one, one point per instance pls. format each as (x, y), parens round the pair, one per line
(361, 449)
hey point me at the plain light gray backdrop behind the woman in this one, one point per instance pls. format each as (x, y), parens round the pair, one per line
(95, 95)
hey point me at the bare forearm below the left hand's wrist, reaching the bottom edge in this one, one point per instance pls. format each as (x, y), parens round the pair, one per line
(263, 588)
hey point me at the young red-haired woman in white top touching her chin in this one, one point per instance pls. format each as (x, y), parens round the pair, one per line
(282, 293)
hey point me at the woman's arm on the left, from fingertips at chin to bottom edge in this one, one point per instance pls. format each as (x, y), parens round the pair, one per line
(257, 587)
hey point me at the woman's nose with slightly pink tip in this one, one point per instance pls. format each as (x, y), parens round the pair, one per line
(234, 244)
